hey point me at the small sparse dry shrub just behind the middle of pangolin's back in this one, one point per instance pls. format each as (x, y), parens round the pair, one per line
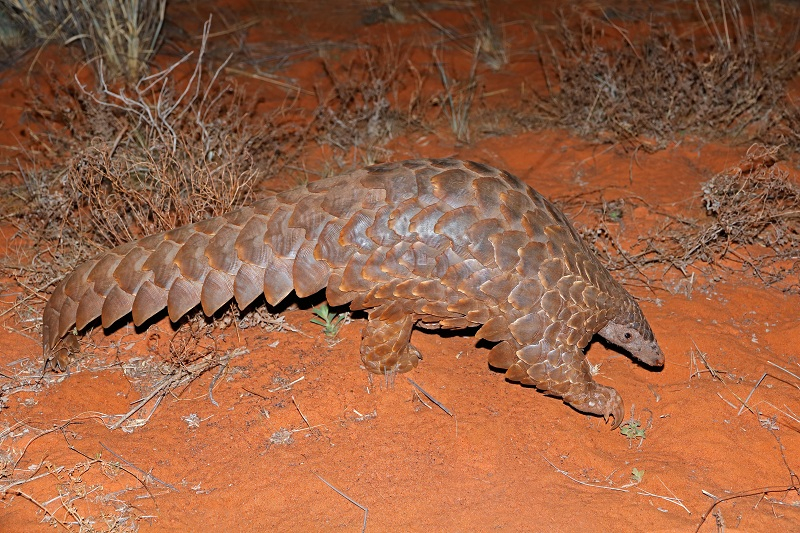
(368, 101)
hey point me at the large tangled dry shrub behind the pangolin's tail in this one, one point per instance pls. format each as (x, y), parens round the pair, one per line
(127, 162)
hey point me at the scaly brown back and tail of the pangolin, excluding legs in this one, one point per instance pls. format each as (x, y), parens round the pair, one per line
(447, 233)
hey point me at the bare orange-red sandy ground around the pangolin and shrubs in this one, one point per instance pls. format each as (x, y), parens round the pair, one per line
(260, 457)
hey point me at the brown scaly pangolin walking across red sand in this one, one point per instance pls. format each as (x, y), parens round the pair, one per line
(435, 242)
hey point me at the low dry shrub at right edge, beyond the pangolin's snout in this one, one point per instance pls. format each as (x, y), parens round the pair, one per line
(750, 222)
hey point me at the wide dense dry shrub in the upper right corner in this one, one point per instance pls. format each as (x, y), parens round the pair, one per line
(730, 80)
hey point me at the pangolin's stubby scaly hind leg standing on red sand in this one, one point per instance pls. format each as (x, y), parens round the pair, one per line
(385, 346)
